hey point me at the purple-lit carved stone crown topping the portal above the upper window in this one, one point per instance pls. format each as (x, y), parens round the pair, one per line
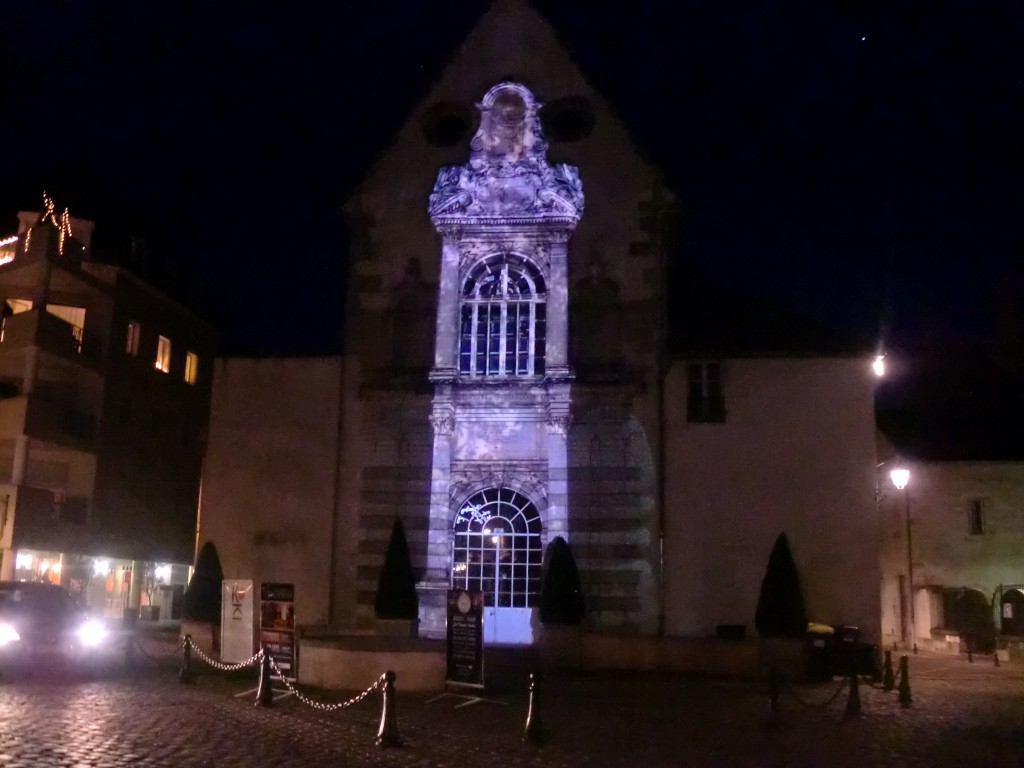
(508, 179)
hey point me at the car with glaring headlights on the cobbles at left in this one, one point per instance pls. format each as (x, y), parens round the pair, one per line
(41, 623)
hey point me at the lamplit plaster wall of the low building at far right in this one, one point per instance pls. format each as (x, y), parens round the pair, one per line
(945, 553)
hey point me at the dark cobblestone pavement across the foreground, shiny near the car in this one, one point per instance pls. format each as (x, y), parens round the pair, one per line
(963, 715)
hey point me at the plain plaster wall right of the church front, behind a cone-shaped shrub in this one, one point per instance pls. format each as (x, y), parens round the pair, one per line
(796, 454)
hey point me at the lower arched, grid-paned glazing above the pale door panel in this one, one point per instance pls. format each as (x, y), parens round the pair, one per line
(497, 548)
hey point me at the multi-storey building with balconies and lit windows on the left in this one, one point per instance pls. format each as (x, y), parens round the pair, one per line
(105, 387)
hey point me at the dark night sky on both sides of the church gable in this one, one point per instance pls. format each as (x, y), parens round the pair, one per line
(859, 161)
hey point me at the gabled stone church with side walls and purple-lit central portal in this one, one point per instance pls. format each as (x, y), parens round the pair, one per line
(520, 367)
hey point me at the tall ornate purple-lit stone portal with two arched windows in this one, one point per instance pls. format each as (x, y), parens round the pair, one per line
(501, 374)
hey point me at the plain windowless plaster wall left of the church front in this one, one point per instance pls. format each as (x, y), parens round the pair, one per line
(270, 476)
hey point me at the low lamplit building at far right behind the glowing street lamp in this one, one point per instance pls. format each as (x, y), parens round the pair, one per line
(953, 552)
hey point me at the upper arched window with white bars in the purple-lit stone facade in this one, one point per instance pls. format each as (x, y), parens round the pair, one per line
(503, 319)
